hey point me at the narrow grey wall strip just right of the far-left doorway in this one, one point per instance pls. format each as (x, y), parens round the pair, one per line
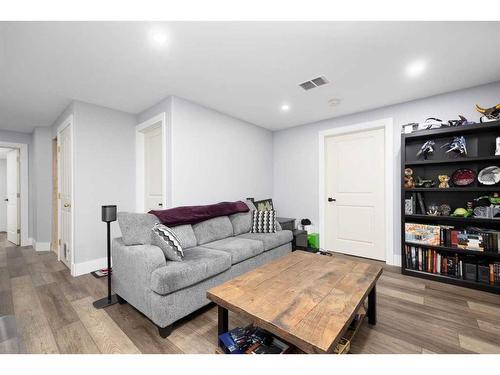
(42, 187)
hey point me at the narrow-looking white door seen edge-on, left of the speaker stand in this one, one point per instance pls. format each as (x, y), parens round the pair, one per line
(65, 196)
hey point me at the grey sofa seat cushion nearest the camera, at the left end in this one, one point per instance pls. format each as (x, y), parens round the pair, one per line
(197, 265)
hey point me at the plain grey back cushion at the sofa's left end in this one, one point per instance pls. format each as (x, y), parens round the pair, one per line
(136, 228)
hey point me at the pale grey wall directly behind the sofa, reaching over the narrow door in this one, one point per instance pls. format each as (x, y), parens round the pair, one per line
(215, 157)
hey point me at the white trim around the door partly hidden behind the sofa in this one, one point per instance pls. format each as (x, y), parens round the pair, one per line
(139, 157)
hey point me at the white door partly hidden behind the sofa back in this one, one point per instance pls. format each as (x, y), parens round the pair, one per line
(153, 169)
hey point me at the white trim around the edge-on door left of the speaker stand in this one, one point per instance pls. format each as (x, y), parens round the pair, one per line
(69, 122)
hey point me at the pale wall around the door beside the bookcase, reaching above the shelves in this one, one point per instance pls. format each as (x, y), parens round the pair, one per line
(295, 178)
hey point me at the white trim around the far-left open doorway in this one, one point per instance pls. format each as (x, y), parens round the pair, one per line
(24, 179)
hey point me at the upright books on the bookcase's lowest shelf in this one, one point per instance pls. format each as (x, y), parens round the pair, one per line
(462, 267)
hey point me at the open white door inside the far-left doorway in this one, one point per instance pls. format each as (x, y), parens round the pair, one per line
(13, 197)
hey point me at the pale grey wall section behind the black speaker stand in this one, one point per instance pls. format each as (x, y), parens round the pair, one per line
(104, 173)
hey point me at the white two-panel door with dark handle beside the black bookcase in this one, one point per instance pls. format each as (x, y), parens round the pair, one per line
(354, 187)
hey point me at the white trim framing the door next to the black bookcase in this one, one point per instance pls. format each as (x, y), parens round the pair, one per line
(387, 125)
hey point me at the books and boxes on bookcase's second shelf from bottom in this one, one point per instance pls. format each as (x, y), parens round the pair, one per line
(476, 239)
